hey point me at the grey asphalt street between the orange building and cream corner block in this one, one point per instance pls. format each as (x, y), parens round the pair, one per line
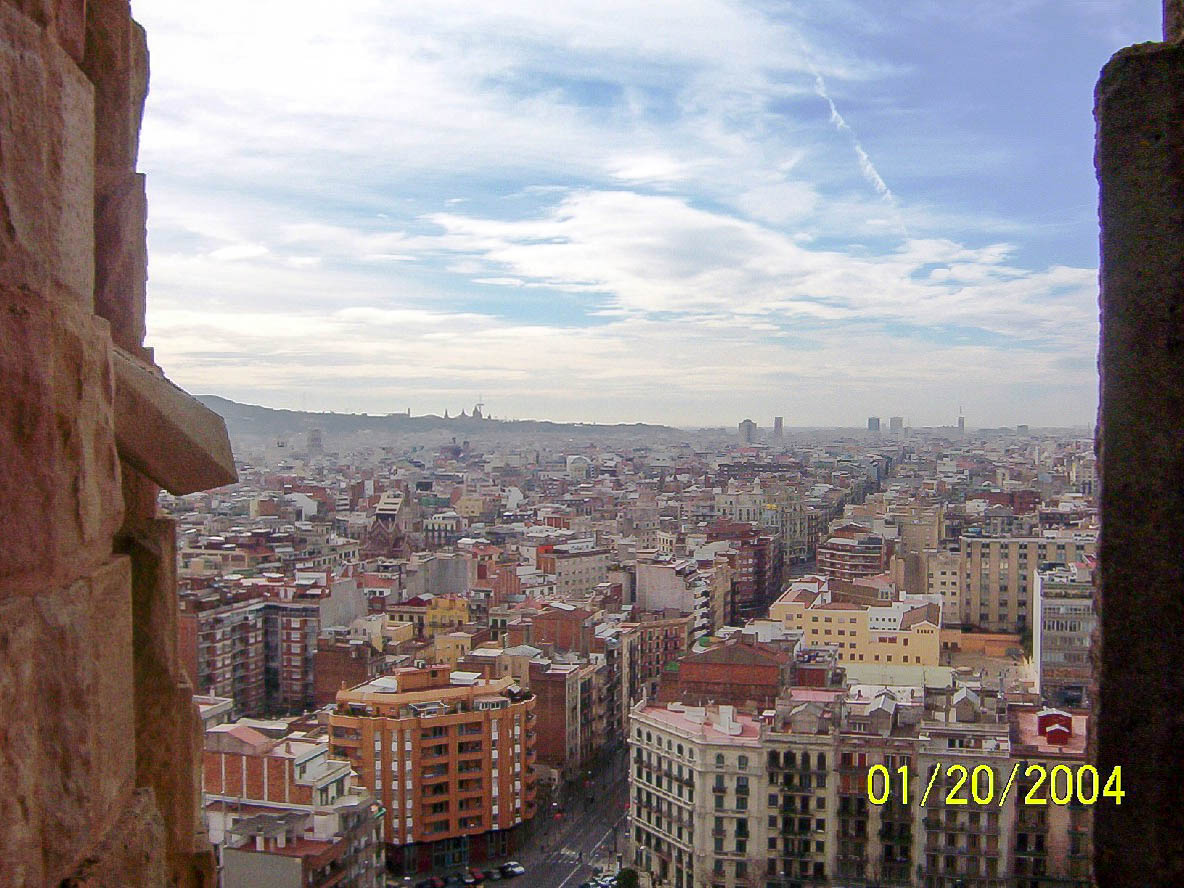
(564, 852)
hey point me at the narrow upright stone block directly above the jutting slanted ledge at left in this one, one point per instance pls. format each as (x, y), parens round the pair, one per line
(121, 258)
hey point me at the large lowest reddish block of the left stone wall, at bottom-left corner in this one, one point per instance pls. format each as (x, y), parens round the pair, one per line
(68, 718)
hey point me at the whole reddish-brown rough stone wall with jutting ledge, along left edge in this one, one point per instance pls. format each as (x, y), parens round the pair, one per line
(99, 736)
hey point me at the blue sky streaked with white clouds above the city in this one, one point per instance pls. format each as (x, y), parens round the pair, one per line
(680, 213)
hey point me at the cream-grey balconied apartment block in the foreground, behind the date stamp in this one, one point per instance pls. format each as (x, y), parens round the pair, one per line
(807, 820)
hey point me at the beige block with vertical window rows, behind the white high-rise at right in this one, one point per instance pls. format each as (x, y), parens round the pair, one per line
(1000, 576)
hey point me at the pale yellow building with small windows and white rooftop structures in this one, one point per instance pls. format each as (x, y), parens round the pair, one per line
(903, 630)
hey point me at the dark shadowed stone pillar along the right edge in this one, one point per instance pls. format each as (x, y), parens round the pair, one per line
(1141, 446)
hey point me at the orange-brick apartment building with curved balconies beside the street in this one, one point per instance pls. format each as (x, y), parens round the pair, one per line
(451, 757)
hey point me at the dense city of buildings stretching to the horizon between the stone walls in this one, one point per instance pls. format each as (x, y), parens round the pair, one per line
(675, 653)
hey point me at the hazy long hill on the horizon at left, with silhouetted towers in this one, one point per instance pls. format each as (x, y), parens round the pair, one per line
(249, 420)
